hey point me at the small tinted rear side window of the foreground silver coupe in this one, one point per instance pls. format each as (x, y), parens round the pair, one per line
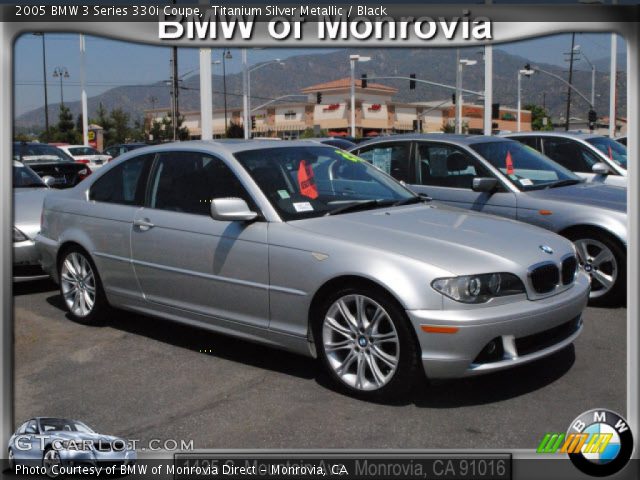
(123, 184)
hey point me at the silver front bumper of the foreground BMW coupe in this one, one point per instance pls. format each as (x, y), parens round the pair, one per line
(539, 328)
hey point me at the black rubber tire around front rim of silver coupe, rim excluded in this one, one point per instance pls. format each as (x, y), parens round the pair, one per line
(406, 369)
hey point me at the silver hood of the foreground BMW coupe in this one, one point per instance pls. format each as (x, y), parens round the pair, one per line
(455, 240)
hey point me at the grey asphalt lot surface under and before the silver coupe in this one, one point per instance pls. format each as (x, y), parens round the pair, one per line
(144, 378)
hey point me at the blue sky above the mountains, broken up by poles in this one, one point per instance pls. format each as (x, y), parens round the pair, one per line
(111, 63)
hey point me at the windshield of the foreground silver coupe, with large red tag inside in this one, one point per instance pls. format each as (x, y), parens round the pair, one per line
(304, 182)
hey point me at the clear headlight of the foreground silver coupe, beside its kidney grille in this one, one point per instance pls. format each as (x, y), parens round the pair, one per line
(479, 288)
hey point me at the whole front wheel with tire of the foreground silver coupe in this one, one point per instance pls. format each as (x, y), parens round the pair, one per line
(374, 358)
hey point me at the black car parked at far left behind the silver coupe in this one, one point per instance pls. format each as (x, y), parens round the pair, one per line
(49, 161)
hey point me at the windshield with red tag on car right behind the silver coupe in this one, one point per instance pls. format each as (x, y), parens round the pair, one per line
(525, 167)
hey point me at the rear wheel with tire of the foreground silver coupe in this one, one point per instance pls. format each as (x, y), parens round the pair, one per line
(81, 288)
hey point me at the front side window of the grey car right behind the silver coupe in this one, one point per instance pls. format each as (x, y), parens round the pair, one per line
(442, 165)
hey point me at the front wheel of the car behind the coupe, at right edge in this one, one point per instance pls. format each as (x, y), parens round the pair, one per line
(605, 260)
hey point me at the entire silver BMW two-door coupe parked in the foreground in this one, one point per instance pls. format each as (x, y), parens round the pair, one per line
(308, 248)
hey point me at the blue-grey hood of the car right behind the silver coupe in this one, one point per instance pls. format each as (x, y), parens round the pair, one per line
(588, 193)
